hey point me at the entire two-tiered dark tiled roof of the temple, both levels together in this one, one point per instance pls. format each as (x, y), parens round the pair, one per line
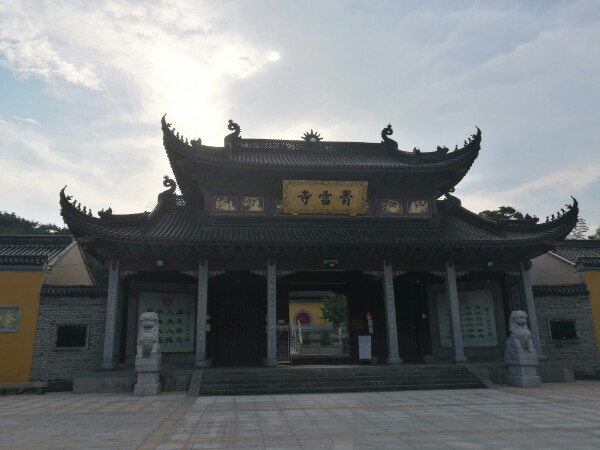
(179, 222)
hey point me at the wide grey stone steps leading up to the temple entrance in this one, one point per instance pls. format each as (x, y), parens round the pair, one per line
(298, 380)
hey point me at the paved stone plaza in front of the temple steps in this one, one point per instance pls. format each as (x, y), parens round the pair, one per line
(555, 416)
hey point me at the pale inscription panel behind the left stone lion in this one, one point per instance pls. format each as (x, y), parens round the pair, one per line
(176, 319)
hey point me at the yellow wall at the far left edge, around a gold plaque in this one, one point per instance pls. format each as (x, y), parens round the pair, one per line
(22, 288)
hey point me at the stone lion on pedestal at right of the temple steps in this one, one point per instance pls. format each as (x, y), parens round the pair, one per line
(520, 354)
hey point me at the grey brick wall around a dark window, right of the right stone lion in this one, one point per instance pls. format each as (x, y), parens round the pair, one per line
(567, 303)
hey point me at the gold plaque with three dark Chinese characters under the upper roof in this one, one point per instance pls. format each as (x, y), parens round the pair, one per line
(324, 197)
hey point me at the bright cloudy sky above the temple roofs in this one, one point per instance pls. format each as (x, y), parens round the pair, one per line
(83, 86)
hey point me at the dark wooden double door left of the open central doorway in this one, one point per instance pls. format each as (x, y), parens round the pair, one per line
(237, 303)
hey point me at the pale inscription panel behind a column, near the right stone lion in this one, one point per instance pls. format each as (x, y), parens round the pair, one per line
(477, 319)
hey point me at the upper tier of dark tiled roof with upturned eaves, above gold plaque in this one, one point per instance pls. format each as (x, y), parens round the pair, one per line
(197, 166)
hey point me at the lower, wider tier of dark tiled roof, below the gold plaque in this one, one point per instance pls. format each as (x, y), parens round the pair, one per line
(456, 228)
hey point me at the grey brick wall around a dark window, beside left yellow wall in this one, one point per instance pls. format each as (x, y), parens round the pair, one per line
(68, 305)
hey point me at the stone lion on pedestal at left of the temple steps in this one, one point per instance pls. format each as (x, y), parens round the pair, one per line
(147, 359)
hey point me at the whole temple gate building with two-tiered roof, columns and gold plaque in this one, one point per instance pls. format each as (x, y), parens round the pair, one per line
(260, 226)
